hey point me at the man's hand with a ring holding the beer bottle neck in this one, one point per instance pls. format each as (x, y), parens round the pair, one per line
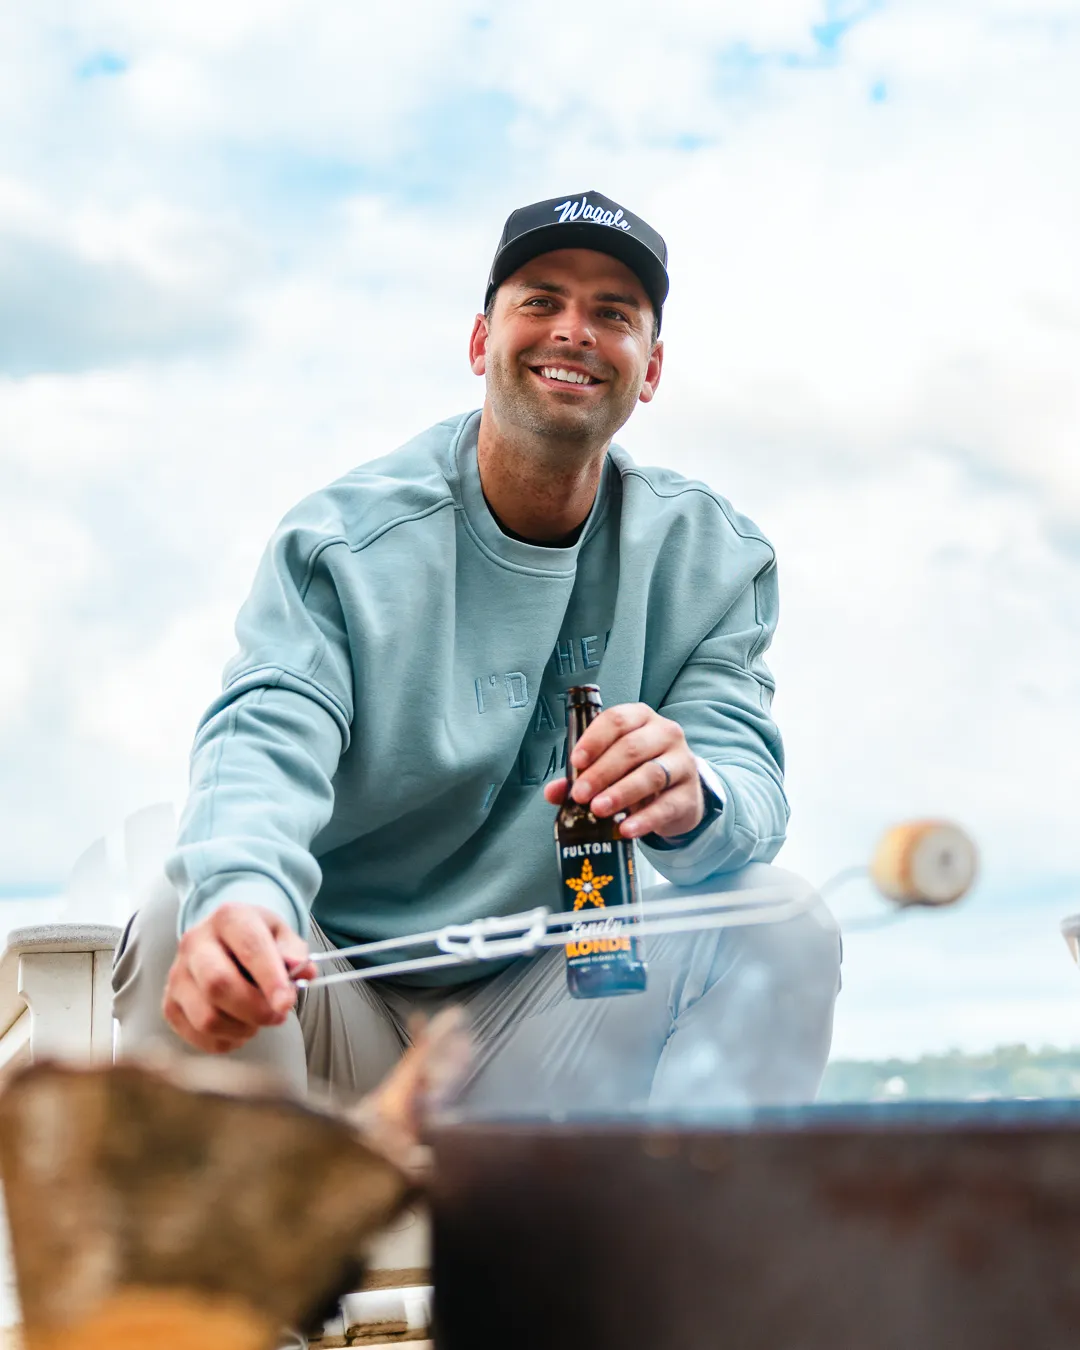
(631, 759)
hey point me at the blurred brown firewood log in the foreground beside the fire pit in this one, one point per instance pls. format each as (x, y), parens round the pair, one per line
(194, 1208)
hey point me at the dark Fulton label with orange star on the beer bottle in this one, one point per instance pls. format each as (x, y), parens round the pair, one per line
(600, 877)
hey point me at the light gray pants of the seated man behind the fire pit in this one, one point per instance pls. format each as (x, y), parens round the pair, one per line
(732, 1017)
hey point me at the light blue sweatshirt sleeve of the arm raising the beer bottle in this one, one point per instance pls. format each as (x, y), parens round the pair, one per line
(723, 700)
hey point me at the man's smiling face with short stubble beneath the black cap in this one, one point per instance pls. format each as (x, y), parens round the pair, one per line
(576, 314)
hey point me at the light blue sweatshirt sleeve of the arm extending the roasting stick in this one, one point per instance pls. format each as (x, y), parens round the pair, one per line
(267, 750)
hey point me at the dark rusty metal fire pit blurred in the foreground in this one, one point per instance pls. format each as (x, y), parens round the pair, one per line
(948, 1228)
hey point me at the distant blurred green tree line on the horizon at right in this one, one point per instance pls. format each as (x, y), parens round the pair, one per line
(1012, 1071)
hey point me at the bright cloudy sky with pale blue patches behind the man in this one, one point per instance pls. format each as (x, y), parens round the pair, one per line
(241, 248)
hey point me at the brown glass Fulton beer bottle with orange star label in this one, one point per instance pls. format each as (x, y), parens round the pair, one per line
(597, 871)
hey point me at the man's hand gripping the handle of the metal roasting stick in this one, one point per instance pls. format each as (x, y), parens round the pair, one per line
(233, 975)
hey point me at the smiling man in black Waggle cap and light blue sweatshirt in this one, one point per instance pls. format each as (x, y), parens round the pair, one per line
(376, 761)
